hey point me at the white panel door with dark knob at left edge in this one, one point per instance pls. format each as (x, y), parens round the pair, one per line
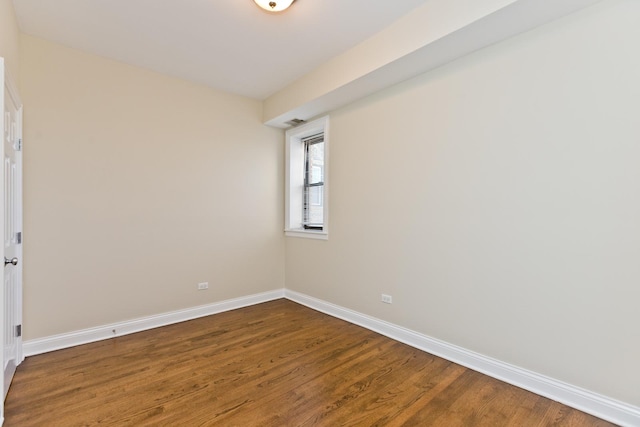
(12, 236)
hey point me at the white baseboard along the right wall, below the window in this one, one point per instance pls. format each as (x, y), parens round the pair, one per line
(592, 403)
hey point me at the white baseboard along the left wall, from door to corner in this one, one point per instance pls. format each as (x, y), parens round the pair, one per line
(85, 336)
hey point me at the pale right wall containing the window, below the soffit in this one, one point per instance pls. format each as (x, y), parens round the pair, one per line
(497, 199)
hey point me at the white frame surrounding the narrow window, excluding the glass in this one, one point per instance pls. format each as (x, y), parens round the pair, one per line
(294, 179)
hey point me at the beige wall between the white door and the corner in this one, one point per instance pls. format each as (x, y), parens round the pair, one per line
(137, 187)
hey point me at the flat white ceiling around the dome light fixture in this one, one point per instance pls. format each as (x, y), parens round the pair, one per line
(230, 45)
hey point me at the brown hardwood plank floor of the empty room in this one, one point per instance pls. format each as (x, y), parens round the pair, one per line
(273, 364)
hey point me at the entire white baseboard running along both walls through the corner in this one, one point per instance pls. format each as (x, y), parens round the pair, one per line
(592, 403)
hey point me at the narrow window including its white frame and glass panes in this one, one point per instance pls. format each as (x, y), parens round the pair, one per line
(306, 180)
